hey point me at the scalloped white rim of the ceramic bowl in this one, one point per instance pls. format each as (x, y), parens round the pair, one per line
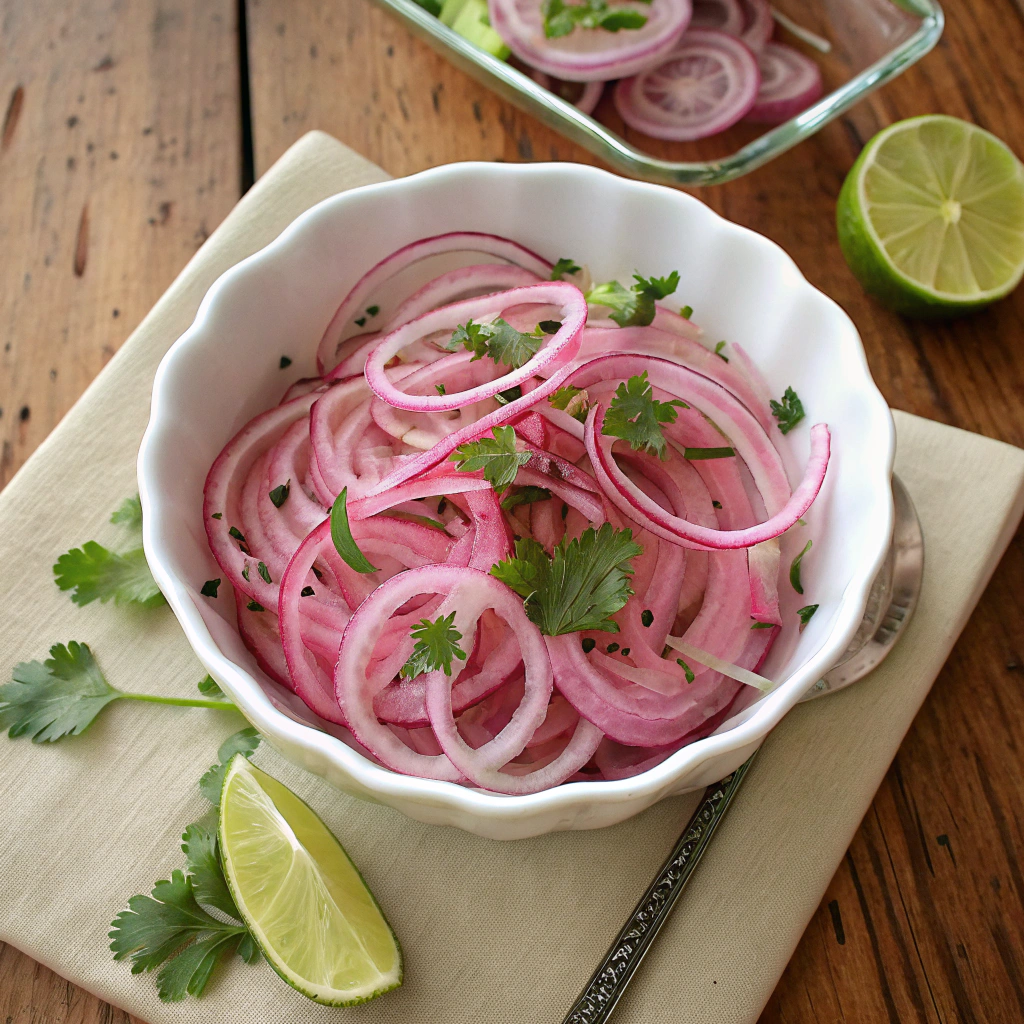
(381, 783)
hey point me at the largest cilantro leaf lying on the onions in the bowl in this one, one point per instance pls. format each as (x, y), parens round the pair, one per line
(580, 586)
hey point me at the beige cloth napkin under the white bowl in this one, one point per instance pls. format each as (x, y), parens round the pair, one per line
(492, 932)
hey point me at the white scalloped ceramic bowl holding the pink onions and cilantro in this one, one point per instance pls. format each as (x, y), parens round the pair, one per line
(743, 288)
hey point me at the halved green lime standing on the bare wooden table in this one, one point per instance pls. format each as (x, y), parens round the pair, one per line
(931, 218)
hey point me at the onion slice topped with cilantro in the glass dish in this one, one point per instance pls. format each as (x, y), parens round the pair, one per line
(590, 55)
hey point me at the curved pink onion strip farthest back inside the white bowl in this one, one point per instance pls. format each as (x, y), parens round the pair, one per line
(363, 293)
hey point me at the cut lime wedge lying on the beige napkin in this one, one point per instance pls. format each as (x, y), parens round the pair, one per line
(305, 902)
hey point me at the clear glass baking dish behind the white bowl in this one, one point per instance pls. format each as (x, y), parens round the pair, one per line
(873, 41)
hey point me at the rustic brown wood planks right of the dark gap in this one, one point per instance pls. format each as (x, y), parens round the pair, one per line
(904, 934)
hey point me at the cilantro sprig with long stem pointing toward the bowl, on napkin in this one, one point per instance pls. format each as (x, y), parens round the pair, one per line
(63, 696)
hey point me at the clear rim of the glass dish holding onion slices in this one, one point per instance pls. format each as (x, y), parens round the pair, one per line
(601, 141)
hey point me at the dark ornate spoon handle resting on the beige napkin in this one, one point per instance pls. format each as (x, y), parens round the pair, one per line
(599, 1000)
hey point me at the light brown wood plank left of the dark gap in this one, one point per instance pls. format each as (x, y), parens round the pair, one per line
(120, 152)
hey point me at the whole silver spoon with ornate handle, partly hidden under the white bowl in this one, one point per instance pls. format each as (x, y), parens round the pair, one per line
(890, 606)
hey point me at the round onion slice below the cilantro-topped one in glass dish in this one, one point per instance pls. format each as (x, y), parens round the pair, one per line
(704, 87)
